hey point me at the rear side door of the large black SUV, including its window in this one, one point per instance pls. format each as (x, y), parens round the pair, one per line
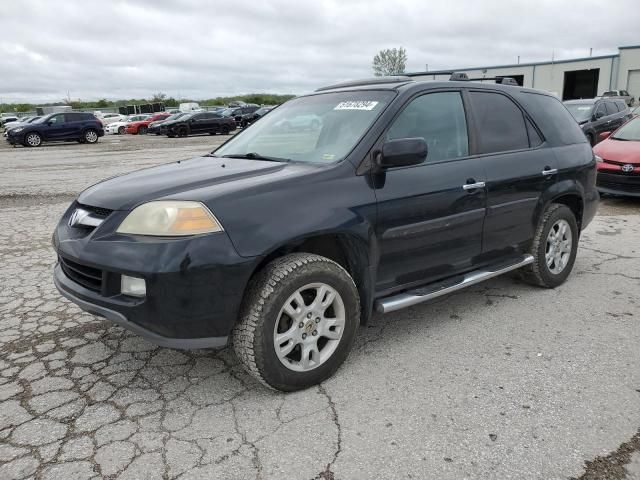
(518, 170)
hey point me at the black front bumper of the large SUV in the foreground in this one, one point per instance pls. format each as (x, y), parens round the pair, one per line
(194, 285)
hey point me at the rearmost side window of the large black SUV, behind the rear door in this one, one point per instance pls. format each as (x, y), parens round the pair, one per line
(553, 119)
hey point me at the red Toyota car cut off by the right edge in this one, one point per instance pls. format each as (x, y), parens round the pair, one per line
(618, 157)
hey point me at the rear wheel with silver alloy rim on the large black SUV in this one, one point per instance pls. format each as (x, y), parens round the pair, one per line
(554, 247)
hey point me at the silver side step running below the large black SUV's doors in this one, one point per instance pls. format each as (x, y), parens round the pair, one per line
(413, 297)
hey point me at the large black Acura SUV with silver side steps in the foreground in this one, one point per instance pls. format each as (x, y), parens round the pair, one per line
(285, 243)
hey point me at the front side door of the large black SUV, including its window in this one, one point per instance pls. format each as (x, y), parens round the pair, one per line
(430, 216)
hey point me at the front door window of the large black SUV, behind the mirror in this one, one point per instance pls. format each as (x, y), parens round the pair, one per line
(438, 118)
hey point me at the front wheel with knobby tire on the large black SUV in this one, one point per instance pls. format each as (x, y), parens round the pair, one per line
(297, 322)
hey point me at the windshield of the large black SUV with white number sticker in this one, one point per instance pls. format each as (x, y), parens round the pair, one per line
(318, 128)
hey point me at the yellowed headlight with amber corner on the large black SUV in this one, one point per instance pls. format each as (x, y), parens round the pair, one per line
(170, 218)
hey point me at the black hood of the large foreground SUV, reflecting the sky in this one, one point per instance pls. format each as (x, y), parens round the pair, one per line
(199, 179)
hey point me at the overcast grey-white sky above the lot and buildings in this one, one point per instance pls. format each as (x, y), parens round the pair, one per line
(202, 49)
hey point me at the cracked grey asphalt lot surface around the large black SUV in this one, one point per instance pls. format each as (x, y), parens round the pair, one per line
(502, 380)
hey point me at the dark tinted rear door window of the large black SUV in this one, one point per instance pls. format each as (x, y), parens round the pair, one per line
(501, 124)
